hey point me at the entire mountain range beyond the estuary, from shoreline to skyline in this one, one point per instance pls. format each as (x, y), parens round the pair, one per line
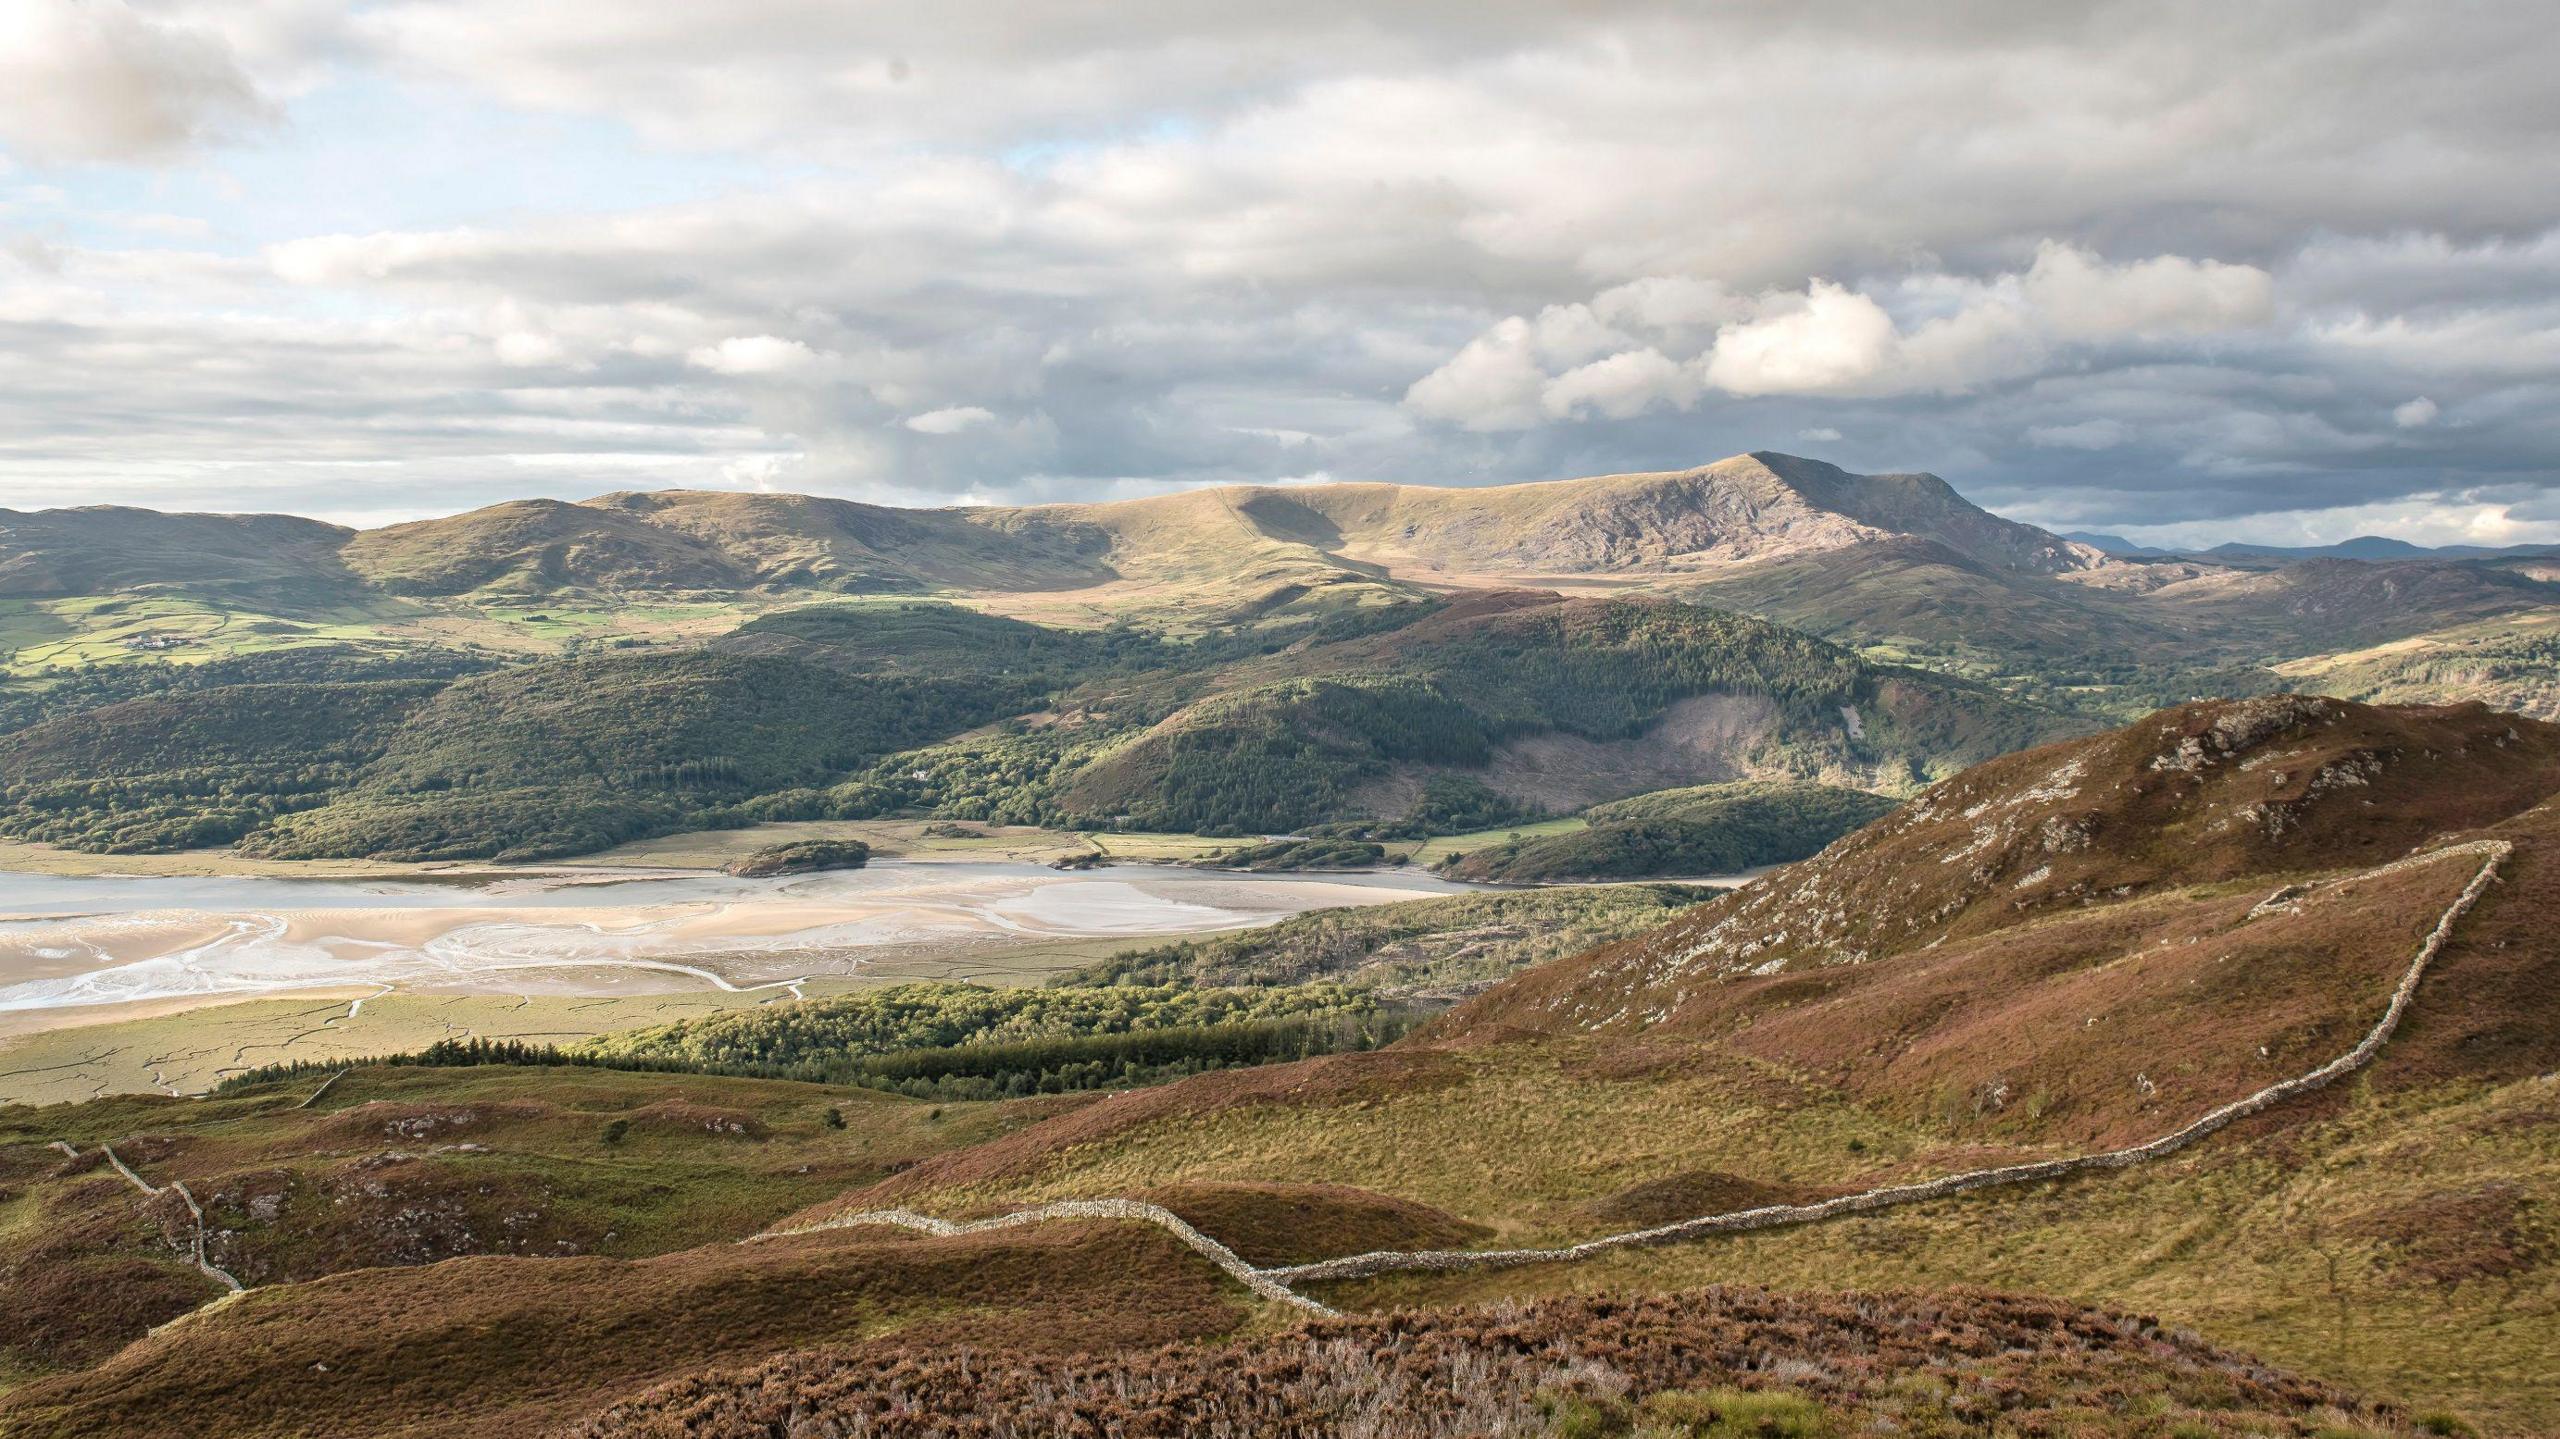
(544, 680)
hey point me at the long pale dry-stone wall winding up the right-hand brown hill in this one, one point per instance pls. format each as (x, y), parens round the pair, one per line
(1279, 1279)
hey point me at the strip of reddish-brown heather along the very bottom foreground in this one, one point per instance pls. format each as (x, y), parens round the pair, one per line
(1885, 1363)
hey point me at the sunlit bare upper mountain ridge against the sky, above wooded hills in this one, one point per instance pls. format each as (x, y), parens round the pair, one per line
(1737, 511)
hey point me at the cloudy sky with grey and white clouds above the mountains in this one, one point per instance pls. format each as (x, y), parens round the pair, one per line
(2180, 270)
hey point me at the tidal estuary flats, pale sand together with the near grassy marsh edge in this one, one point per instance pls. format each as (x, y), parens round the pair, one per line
(109, 951)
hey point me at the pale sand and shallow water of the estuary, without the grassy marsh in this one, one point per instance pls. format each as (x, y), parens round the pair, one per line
(81, 941)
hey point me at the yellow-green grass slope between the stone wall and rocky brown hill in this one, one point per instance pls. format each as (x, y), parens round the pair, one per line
(1532, 1143)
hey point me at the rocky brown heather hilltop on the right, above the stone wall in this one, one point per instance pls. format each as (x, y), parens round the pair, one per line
(2190, 798)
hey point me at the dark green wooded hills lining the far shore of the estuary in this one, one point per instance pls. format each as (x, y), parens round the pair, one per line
(1435, 718)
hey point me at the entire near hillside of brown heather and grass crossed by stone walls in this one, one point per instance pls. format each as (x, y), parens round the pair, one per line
(2049, 956)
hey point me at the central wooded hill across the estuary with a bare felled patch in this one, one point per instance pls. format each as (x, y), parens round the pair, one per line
(1548, 703)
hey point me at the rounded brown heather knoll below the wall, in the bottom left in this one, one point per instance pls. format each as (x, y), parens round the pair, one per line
(498, 1348)
